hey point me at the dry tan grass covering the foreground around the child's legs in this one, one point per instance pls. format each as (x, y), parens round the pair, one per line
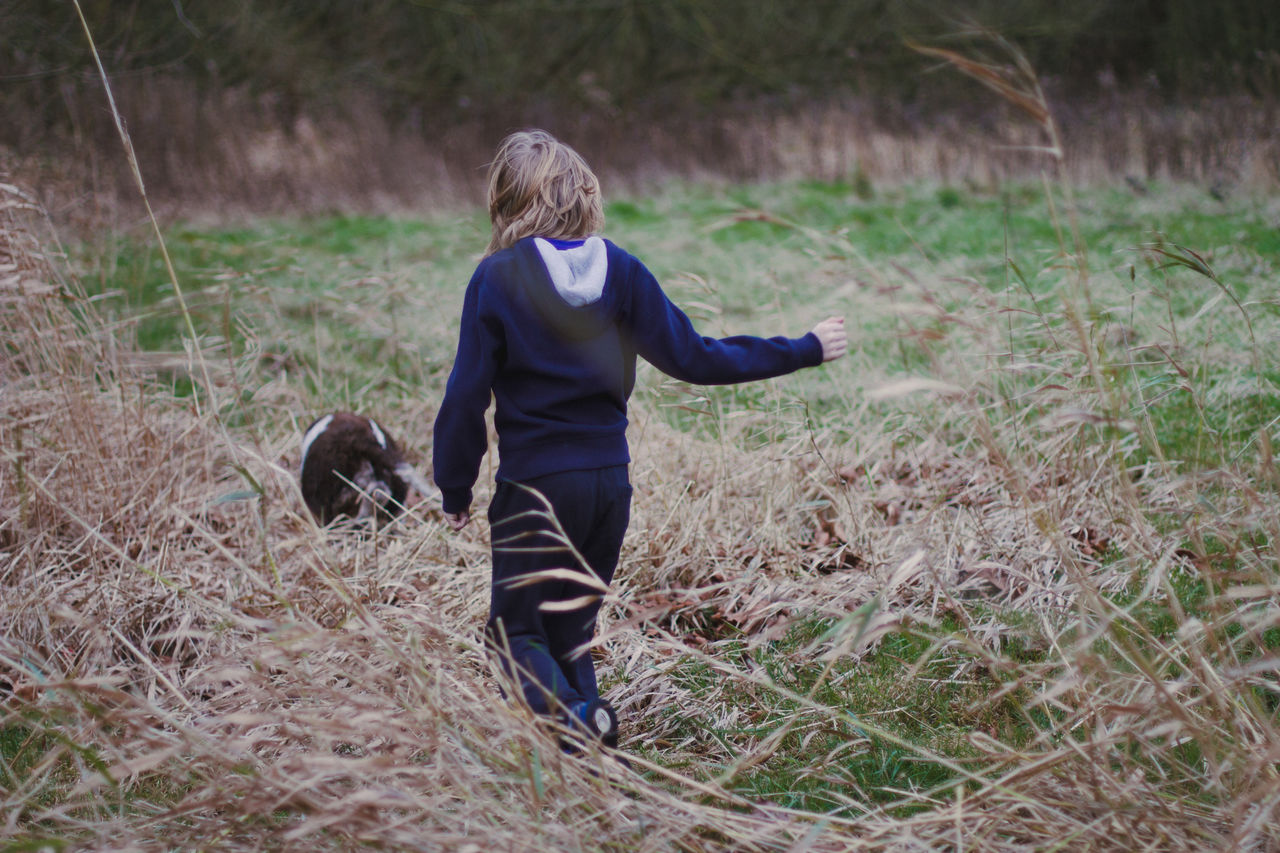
(196, 665)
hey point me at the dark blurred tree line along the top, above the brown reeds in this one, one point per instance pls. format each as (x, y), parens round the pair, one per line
(464, 56)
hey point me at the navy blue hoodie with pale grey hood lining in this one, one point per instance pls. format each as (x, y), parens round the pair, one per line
(554, 330)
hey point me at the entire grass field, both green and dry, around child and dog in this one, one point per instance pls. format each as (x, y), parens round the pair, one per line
(1005, 578)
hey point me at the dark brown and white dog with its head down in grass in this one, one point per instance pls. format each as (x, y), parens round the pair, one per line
(351, 468)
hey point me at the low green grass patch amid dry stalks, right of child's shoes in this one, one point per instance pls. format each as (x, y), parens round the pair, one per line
(897, 720)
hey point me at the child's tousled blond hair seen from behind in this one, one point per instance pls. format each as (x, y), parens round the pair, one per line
(541, 188)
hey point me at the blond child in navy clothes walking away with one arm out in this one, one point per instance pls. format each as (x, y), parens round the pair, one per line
(552, 323)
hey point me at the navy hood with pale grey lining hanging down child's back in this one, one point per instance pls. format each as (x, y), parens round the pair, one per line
(573, 297)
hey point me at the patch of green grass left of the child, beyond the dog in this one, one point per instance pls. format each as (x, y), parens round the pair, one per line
(330, 302)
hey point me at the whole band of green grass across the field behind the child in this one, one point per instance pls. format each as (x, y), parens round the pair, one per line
(333, 303)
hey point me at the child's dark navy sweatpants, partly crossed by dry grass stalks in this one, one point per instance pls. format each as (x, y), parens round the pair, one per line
(593, 509)
